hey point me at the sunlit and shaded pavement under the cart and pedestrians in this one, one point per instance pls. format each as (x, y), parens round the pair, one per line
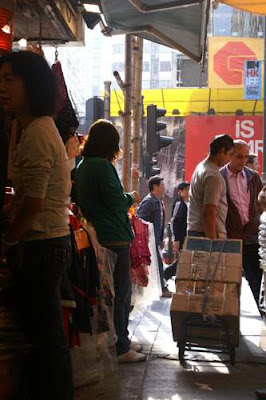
(203, 376)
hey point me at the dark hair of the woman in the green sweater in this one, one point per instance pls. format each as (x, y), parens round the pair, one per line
(102, 141)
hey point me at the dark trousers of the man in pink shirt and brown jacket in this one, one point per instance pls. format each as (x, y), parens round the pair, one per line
(251, 266)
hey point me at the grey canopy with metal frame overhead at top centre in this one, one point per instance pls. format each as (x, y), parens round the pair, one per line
(180, 24)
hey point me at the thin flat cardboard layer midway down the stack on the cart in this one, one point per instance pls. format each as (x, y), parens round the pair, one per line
(216, 289)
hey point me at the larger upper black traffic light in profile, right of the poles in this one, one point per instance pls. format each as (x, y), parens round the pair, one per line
(154, 140)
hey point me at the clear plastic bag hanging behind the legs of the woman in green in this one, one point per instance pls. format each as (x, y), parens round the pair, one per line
(97, 355)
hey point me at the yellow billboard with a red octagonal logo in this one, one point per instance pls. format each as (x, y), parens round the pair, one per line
(227, 56)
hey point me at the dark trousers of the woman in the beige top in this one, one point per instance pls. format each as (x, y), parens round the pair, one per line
(48, 364)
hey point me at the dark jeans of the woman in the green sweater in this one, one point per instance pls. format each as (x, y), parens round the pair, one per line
(122, 285)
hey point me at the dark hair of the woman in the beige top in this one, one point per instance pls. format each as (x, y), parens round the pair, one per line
(38, 78)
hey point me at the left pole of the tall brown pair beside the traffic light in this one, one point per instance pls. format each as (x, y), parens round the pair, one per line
(127, 113)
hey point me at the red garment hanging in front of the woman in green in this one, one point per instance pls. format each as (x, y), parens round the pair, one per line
(139, 252)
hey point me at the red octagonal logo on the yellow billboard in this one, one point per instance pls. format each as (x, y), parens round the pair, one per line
(229, 62)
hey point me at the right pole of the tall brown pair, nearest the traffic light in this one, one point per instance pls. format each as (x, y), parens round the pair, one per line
(137, 111)
